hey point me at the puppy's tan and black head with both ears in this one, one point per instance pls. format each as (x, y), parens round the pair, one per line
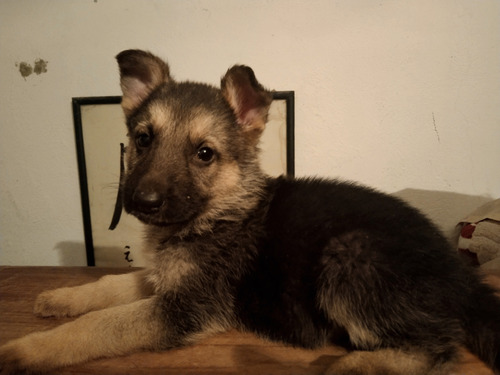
(192, 153)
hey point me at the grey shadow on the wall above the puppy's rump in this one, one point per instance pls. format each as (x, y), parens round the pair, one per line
(445, 209)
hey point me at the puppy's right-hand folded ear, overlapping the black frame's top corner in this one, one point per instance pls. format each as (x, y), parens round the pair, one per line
(248, 99)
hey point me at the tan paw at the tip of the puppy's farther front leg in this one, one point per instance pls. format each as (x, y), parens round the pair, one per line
(58, 303)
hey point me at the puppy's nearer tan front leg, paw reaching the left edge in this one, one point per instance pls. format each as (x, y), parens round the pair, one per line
(110, 332)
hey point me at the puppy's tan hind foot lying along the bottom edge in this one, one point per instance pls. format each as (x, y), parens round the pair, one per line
(385, 362)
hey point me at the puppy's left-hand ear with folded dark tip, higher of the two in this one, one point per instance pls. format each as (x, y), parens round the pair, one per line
(140, 73)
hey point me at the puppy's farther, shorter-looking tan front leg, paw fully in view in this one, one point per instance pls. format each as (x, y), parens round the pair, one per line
(110, 290)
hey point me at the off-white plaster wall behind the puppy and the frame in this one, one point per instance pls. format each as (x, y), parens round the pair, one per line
(396, 94)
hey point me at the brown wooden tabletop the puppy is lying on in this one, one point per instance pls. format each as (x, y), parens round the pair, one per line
(228, 353)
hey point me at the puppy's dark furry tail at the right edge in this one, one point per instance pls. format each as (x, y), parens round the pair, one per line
(483, 326)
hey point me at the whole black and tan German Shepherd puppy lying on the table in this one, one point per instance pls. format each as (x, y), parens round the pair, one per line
(305, 262)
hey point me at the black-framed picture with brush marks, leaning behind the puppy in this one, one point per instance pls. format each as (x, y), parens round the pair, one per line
(112, 237)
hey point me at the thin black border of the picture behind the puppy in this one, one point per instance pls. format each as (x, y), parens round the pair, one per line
(78, 102)
